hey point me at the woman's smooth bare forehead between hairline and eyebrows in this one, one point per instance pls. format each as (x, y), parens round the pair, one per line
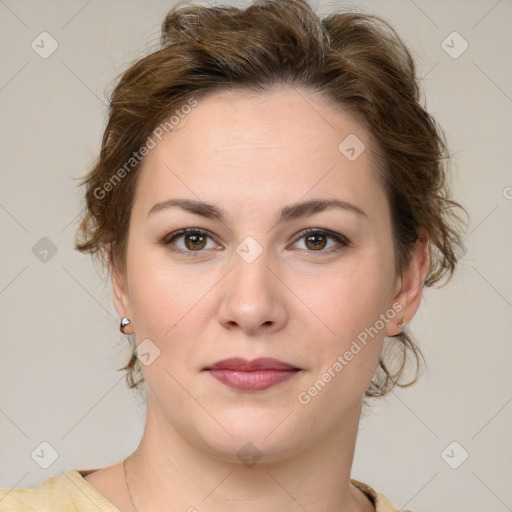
(281, 145)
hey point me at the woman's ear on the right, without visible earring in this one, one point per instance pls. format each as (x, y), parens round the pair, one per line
(409, 288)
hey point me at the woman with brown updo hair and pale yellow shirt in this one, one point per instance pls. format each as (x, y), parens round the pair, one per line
(270, 201)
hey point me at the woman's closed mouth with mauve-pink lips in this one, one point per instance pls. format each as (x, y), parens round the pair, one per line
(255, 375)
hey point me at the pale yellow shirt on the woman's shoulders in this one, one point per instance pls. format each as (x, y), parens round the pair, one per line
(71, 493)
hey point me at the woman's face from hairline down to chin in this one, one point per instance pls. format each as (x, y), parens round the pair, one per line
(249, 176)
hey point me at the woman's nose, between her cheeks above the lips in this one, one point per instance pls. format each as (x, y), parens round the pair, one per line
(253, 298)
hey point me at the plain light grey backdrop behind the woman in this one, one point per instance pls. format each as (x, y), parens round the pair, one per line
(60, 343)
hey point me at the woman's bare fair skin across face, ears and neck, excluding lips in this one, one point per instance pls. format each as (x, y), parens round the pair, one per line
(250, 156)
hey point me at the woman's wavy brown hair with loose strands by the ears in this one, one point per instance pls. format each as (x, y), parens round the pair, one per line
(357, 61)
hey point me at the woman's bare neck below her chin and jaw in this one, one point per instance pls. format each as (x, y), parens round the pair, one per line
(169, 472)
